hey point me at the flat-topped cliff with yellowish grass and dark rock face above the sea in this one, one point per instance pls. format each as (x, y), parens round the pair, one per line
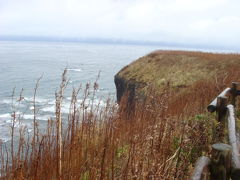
(180, 69)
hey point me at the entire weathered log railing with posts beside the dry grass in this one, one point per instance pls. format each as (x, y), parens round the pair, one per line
(224, 163)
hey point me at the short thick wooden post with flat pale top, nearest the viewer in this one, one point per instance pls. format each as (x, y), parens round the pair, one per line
(220, 168)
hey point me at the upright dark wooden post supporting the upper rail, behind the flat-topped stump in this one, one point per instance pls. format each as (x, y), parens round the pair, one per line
(221, 117)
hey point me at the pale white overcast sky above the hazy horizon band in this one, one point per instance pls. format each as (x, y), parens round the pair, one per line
(181, 21)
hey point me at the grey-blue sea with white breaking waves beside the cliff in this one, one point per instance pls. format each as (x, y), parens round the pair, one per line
(22, 63)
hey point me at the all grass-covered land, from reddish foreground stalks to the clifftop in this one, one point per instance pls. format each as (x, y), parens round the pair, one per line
(160, 139)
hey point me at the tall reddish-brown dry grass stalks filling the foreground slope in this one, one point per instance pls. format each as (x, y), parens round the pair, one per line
(157, 138)
